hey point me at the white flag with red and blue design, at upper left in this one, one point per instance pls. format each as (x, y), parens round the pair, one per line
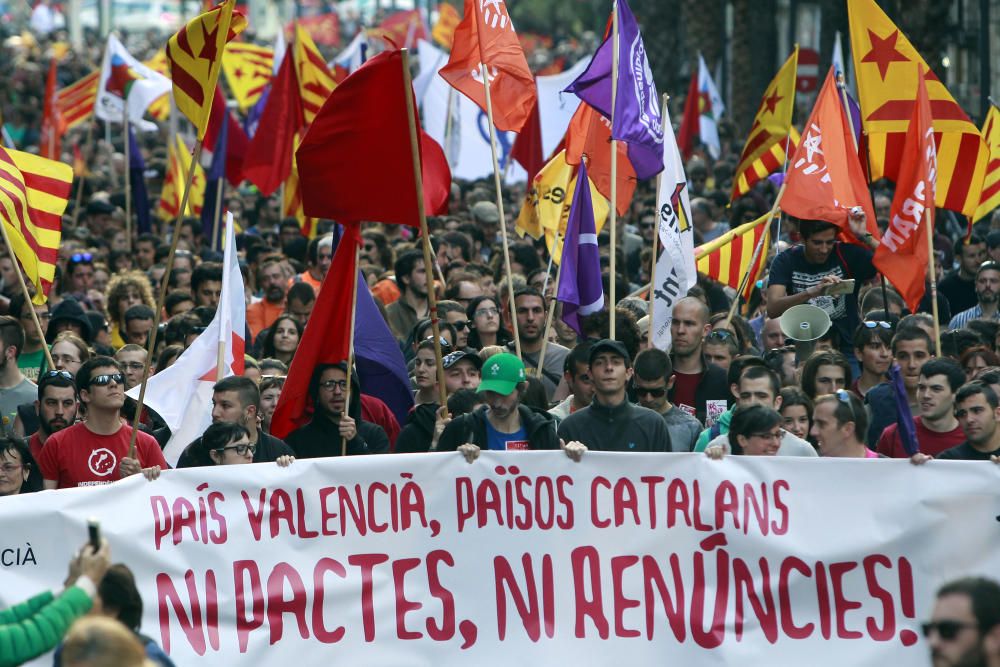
(125, 78)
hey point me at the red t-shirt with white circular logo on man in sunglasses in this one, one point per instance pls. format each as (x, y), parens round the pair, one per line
(76, 456)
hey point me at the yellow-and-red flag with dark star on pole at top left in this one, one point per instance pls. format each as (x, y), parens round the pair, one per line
(195, 55)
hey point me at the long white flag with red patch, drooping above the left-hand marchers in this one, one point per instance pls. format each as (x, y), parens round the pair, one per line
(182, 394)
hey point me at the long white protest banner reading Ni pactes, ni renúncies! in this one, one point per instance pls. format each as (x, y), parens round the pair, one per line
(638, 559)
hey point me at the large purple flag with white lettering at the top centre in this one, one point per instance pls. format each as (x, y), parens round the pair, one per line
(636, 118)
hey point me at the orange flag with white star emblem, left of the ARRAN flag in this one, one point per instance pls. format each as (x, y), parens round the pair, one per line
(824, 178)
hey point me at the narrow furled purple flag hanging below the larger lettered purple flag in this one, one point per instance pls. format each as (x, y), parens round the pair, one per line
(580, 289)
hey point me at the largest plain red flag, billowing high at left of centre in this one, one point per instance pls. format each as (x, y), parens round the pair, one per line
(355, 161)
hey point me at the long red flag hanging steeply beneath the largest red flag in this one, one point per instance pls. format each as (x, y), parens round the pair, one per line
(327, 338)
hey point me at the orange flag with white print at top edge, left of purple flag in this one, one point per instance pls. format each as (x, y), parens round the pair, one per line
(487, 36)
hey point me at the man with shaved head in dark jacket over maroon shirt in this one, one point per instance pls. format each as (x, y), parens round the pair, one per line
(699, 387)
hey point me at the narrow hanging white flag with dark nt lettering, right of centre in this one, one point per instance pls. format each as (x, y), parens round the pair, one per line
(675, 268)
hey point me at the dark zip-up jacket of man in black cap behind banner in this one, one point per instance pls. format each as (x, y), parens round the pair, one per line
(623, 428)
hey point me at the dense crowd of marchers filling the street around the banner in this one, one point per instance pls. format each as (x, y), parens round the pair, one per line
(728, 386)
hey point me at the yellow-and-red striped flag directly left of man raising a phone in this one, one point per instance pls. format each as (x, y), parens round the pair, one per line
(727, 258)
